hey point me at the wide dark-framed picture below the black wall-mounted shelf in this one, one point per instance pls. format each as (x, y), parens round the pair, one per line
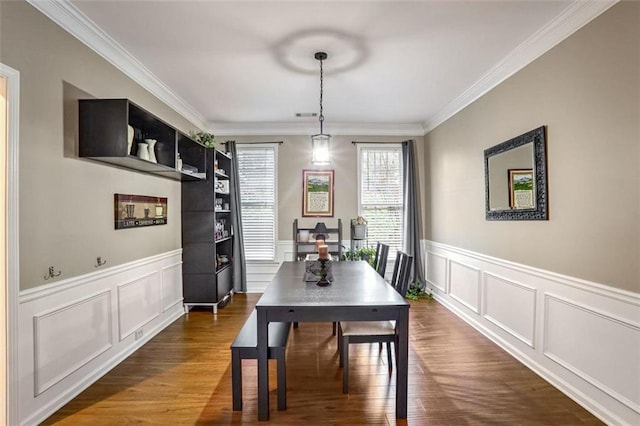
(134, 211)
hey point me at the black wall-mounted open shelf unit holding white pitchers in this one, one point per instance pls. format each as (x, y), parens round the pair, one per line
(111, 131)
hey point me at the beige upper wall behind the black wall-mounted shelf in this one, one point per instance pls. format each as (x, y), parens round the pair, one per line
(66, 203)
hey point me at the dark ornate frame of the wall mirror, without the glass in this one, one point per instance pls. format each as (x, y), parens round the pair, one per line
(540, 211)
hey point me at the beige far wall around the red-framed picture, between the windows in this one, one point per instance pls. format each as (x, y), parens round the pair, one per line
(294, 155)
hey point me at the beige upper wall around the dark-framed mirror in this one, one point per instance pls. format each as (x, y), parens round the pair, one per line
(587, 92)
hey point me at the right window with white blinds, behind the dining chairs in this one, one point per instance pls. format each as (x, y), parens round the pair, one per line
(380, 192)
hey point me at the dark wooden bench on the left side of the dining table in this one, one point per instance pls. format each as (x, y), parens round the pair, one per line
(245, 346)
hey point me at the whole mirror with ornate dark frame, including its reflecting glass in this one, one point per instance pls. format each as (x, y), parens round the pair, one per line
(516, 178)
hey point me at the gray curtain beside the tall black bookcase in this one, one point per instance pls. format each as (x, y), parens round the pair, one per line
(239, 261)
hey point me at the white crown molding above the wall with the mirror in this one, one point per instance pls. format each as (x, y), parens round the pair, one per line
(575, 16)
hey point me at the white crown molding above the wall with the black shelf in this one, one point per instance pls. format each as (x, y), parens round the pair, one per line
(72, 20)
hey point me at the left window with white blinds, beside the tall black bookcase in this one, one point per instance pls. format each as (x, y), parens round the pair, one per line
(257, 183)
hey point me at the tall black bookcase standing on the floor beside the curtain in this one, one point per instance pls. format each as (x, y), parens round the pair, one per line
(208, 234)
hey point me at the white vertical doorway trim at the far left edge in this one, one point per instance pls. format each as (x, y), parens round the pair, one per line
(12, 232)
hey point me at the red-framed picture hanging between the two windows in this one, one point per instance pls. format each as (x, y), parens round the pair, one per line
(317, 193)
